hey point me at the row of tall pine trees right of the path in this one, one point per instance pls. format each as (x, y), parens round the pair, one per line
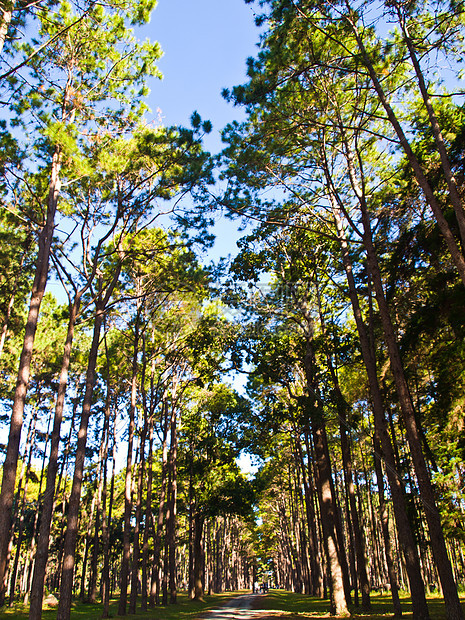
(351, 161)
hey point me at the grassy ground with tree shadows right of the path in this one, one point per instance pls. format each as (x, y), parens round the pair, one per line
(292, 606)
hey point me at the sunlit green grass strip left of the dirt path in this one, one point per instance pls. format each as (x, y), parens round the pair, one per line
(183, 610)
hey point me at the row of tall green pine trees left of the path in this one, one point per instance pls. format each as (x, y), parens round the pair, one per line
(119, 472)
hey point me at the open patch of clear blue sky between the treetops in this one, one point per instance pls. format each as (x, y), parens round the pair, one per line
(206, 44)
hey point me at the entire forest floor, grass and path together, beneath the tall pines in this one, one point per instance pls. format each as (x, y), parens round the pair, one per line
(277, 604)
